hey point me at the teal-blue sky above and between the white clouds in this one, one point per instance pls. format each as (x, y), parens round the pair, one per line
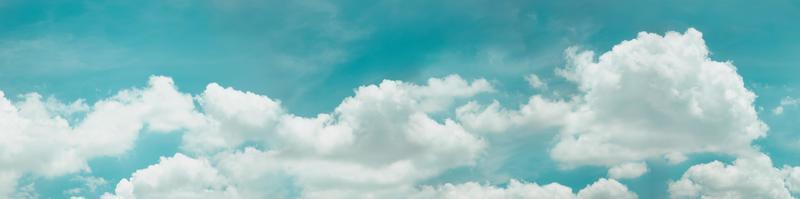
(310, 55)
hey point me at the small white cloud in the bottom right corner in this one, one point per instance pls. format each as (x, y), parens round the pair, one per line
(747, 177)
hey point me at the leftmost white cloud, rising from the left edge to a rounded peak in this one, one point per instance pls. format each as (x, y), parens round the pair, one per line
(39, 138)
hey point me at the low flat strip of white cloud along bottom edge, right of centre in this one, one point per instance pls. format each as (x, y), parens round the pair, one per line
(602, 189)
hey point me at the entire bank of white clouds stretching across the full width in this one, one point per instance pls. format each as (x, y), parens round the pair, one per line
(648, 98)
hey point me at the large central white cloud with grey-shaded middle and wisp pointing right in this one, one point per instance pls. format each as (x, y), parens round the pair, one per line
(380, 140)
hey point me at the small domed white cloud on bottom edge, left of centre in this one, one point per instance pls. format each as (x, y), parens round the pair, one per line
(175, 177)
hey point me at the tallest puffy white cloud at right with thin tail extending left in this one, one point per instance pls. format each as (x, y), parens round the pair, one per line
(650, 97)
